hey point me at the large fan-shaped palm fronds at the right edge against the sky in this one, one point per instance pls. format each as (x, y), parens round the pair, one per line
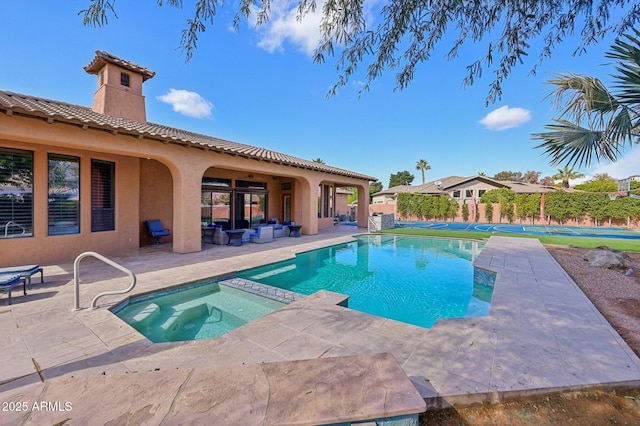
(599, 123)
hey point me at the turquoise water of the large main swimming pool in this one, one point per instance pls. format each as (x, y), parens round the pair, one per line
(409, 279)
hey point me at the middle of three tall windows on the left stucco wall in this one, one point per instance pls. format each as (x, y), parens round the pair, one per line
(64, 195)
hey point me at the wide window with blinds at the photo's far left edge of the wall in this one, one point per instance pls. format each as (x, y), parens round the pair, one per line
(16, 193)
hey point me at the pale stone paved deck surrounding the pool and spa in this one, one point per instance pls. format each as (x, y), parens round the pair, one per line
(543, 335)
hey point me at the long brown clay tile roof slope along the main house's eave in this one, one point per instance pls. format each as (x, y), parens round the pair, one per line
(56, 111)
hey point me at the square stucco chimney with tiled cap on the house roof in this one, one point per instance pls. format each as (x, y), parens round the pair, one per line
(119, 91)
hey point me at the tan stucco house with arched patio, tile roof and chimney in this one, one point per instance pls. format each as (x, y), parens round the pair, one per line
(74, 179)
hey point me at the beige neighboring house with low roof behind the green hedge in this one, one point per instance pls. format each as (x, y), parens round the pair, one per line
(463, 189)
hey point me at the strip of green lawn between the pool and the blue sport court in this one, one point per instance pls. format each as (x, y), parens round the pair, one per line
(582, 242)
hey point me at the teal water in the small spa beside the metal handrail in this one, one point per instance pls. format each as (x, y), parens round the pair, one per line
(202, 311)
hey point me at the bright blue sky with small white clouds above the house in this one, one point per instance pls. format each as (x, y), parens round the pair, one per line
(261, 87)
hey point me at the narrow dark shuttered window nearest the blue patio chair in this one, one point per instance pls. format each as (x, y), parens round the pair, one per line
(102, 196)
